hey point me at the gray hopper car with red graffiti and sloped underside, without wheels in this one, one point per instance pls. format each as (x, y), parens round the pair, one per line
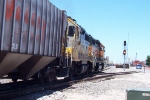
(29, 29)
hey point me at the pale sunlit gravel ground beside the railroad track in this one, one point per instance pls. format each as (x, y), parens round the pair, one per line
(113, 89)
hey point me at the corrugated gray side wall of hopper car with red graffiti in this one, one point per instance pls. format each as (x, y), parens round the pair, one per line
(31, 27)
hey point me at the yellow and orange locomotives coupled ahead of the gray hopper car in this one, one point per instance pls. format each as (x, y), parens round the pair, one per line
(82, 52)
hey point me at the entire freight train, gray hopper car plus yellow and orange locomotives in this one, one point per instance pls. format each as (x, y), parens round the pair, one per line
(38, 40)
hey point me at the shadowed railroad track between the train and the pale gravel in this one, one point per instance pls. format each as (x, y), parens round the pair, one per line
(6, 95)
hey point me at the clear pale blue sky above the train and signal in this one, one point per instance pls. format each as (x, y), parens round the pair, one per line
(112, 22)
